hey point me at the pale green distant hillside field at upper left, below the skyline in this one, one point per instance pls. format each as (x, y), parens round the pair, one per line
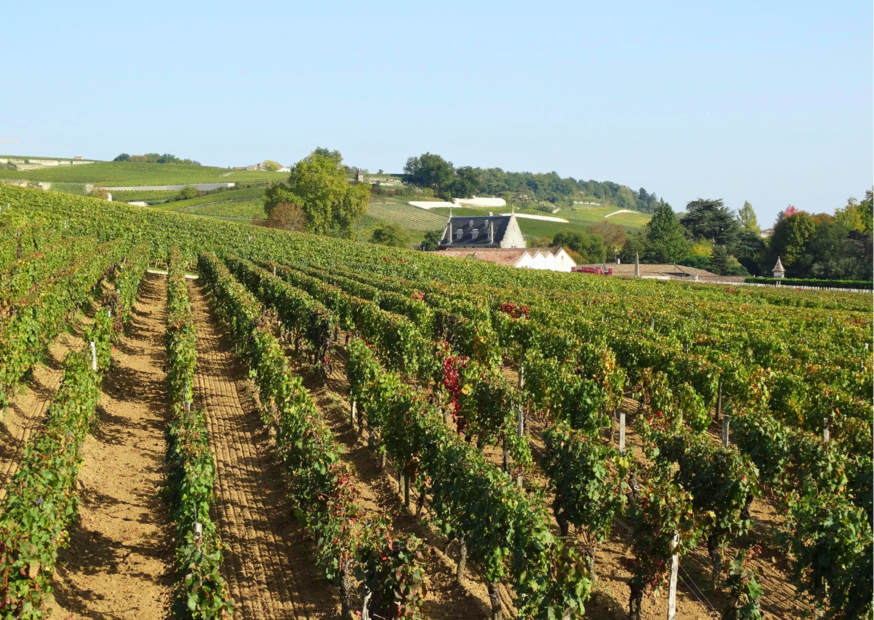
(141, 173)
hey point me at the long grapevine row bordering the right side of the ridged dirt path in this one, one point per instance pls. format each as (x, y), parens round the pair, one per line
(320, 485)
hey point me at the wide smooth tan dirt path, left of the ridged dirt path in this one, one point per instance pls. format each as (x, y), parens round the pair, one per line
(118, 564)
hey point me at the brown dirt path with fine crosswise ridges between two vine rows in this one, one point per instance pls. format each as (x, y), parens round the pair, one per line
(269, 562)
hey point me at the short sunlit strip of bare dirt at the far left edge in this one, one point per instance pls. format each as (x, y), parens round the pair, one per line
(27, 410)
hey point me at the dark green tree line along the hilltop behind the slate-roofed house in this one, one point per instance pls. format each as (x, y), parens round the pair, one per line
(525, 189)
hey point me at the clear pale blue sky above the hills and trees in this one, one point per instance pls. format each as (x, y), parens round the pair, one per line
(769, 102)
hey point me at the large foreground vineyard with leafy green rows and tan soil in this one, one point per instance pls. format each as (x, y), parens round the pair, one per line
(205, 419)
